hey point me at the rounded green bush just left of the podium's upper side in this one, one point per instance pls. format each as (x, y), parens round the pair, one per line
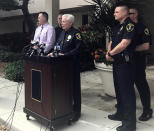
(15, 71)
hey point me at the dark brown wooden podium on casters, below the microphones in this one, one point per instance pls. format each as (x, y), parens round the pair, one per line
(48, 89)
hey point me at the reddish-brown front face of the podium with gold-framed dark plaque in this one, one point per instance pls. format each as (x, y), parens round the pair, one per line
(39, 104)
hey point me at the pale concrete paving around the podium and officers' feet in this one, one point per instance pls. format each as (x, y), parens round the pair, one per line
(95, 108)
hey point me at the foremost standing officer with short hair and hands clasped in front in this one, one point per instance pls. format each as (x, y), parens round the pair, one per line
(120, 52)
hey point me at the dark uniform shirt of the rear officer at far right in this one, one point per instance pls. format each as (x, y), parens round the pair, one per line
(143, 34)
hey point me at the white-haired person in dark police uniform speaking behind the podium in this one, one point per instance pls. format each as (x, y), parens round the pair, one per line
(69, 43)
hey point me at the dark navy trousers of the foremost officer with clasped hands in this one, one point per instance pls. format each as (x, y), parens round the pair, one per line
(124, 75)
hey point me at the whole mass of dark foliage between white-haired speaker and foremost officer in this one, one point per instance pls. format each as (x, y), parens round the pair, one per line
(95, 33)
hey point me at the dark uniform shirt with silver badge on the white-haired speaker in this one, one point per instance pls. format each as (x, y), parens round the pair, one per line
(70, 41)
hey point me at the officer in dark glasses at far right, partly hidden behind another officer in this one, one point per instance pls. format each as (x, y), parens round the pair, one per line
(143, 44)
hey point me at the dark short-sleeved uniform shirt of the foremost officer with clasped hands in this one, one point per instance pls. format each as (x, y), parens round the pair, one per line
(126, 30)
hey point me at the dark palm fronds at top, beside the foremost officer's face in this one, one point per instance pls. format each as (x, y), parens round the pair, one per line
(102, 20)
